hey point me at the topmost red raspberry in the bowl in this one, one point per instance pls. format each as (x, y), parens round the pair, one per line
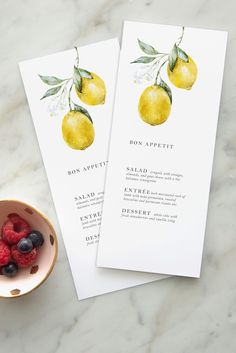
(14, 229)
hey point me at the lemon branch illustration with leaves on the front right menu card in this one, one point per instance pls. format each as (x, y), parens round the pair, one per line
(155, 102)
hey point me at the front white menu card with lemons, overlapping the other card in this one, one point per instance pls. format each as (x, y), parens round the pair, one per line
(161, 150)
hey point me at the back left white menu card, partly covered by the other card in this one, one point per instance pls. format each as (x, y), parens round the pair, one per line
(71, 95)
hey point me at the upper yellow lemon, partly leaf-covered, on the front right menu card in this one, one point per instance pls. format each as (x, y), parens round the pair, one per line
(184, 73)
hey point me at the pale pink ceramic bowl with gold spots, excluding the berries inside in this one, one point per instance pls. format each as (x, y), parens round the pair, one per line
(28, 279)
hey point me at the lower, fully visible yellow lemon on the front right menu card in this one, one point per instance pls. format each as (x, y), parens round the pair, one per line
(154, 105)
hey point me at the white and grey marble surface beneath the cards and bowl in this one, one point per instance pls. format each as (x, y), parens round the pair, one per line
(176, 315)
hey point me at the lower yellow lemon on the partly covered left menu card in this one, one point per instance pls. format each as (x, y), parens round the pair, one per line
(77, 130)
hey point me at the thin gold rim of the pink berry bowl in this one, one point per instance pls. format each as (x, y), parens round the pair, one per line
(55, 253)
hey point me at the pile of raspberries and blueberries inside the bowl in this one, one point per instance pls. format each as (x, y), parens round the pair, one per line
(19, 245)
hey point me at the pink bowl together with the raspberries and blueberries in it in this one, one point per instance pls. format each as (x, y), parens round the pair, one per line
(28, 248)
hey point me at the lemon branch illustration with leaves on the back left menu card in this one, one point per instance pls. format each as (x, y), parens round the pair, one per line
(77, 126)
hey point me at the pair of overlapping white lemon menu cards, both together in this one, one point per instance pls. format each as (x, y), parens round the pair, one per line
(127, 138)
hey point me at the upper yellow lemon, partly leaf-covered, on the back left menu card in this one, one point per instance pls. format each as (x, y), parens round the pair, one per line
(93, 90)
